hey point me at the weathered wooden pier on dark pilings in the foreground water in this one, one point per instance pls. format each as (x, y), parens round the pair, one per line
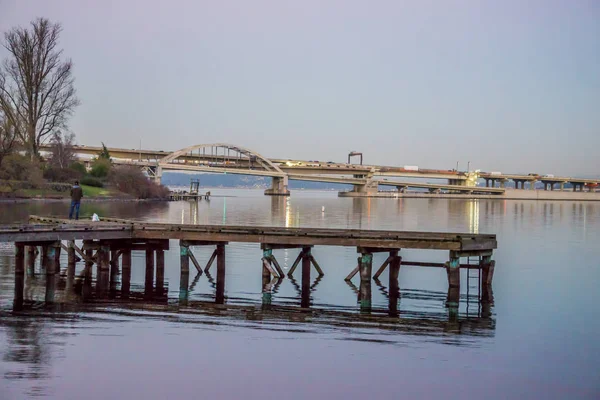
(108, 245)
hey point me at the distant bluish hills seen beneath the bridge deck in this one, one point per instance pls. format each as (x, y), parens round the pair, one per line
(241, 181)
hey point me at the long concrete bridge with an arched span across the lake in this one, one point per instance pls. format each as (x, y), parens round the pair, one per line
(366, 179)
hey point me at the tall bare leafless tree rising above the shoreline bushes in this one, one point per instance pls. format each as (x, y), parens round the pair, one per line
(36, 87)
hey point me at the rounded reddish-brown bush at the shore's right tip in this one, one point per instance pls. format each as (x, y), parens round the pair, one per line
(132, 181)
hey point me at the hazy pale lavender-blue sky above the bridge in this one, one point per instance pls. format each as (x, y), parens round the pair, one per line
(512, 86)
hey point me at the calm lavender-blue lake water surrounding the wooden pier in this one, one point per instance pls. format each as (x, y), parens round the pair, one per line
(538, 340)
